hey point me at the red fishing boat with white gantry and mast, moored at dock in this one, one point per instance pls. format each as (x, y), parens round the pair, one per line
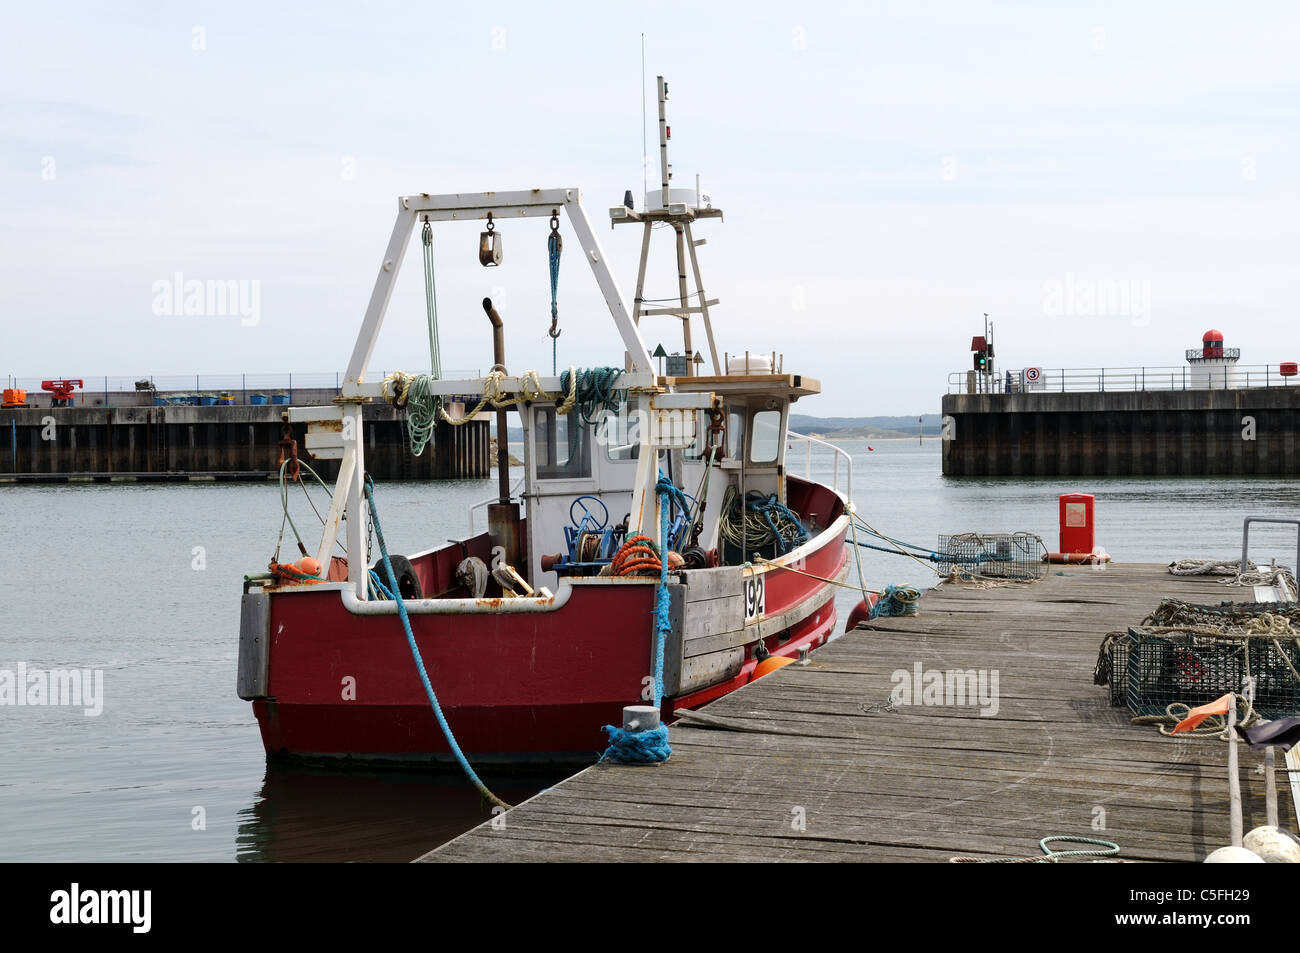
(539, 631)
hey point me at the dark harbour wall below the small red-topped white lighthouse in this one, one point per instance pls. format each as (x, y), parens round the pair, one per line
(1246, 432)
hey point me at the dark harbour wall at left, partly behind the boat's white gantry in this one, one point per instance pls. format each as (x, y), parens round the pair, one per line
(231, 443)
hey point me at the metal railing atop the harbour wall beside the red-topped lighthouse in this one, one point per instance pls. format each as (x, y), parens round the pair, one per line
(1065, 380)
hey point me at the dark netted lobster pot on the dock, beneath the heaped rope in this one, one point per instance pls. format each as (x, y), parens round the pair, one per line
(1197, 669)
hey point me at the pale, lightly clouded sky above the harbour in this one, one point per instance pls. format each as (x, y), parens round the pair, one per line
(1107, 181)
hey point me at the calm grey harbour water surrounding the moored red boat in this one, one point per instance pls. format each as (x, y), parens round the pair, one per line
(109, 578)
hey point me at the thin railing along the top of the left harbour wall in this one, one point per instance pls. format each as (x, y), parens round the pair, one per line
(193, 388)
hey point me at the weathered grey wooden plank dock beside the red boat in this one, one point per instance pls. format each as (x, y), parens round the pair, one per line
(808, 769)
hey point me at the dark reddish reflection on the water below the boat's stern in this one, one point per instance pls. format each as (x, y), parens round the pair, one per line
(306, 813)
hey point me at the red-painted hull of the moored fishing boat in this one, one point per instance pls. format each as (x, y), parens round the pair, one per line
(515, 687)
